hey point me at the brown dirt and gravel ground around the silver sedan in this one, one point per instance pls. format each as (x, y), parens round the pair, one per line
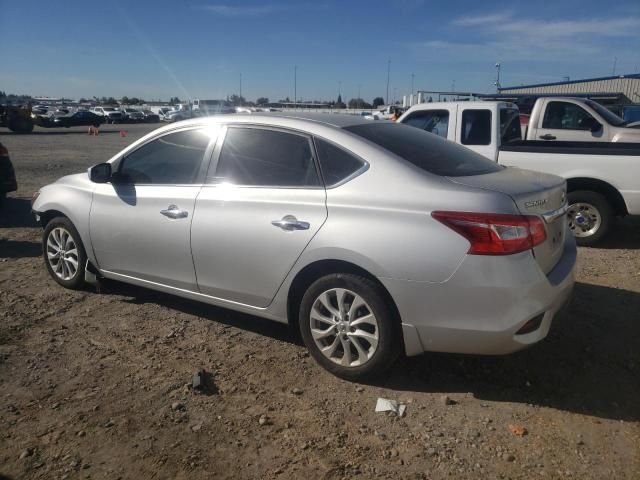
(97, 385)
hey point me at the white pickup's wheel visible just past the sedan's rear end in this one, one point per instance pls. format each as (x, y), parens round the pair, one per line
(590, 217)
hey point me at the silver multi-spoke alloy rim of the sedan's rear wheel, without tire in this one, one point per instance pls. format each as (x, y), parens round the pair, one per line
(344, 327)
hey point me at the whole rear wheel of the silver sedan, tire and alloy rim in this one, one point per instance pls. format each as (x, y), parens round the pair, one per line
(348, 327)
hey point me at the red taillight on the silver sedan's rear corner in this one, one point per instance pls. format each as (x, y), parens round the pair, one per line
(495, 233)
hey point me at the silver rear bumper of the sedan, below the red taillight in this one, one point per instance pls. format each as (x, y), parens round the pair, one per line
(480, 309)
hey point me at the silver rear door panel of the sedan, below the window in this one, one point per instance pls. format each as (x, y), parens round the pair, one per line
(238, 253)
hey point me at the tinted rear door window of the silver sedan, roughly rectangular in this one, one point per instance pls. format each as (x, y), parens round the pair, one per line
(266, 158)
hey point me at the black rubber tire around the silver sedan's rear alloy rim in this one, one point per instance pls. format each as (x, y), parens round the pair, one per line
(388, 328)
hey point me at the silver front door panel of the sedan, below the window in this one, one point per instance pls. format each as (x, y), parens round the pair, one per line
(131, 236)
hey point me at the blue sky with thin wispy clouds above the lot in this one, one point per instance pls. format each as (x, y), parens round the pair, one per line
(201, 49)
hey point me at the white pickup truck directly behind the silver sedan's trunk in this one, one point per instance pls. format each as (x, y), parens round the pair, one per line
(603, 178)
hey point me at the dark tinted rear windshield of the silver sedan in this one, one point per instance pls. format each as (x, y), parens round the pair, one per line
(425, 150)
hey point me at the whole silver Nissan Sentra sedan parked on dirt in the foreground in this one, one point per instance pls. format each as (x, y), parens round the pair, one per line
(376, 239)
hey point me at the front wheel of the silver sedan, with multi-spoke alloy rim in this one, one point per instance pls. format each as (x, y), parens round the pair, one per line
(64, 254)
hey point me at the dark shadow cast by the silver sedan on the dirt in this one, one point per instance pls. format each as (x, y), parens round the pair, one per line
(589, 363)
